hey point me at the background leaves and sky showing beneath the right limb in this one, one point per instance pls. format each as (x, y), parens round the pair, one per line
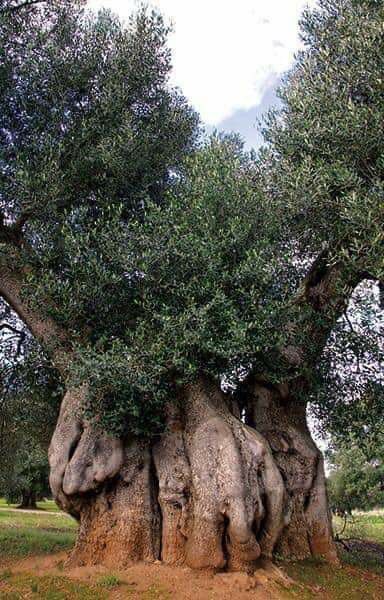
(347, 400)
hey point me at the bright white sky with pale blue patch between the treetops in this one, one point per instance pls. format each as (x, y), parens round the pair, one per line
(228, 56)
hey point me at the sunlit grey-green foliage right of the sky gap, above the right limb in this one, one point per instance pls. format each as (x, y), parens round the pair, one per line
(326, 153)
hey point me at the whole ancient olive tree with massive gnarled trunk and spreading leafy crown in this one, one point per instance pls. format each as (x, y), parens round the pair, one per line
(185, 290)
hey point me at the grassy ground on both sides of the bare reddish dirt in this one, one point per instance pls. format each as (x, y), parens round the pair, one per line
(24, 535)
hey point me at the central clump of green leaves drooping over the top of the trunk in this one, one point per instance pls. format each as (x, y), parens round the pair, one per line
(203, 288)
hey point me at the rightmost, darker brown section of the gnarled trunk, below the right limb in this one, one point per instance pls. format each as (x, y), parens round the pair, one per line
(280, 415)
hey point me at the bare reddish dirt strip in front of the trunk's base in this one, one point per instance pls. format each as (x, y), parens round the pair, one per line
(176, 583)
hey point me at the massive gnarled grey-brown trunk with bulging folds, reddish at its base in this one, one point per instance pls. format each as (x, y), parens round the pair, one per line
(213, 492)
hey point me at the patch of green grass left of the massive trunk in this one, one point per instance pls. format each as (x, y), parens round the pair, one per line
(25, 534)
